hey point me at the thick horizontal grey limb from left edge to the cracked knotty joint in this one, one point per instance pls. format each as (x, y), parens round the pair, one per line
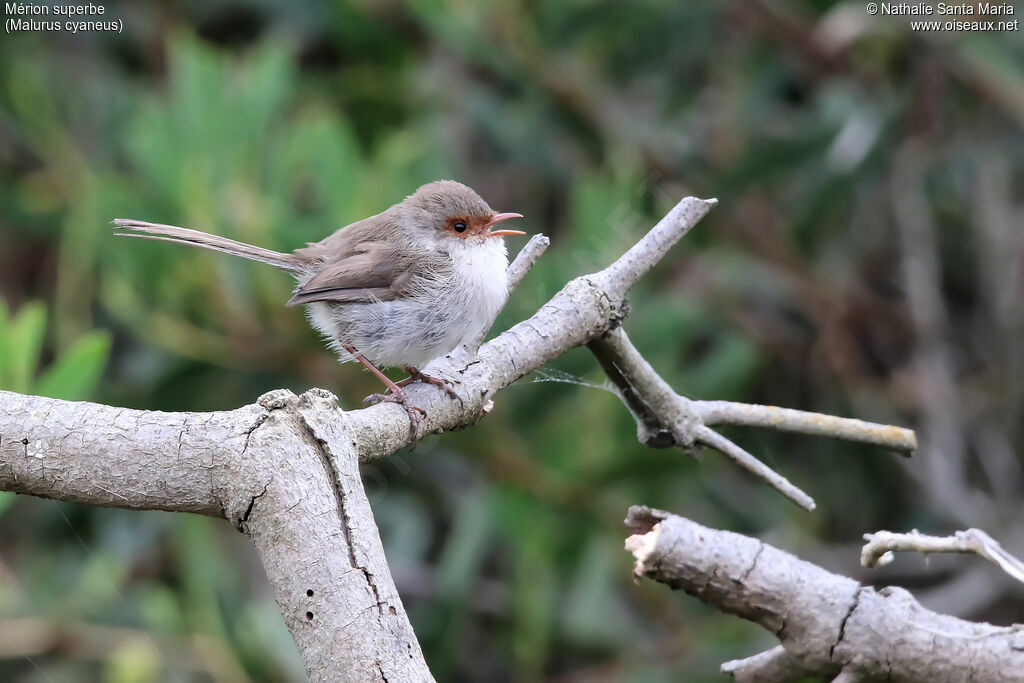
(103, 455)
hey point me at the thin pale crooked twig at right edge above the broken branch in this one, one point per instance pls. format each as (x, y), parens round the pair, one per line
(881, 546)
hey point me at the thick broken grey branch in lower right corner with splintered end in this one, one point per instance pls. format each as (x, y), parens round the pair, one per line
(827, 623)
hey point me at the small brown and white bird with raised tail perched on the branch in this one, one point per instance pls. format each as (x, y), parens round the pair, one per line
(398, 289)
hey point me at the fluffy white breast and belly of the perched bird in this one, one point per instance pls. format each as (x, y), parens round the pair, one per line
(443, 313)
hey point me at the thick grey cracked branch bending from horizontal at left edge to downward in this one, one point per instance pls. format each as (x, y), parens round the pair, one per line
(284, 471)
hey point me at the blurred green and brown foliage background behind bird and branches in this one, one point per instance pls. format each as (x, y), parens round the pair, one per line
(867, 260)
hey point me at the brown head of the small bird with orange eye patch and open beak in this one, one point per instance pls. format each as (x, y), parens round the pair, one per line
(453, 210)
